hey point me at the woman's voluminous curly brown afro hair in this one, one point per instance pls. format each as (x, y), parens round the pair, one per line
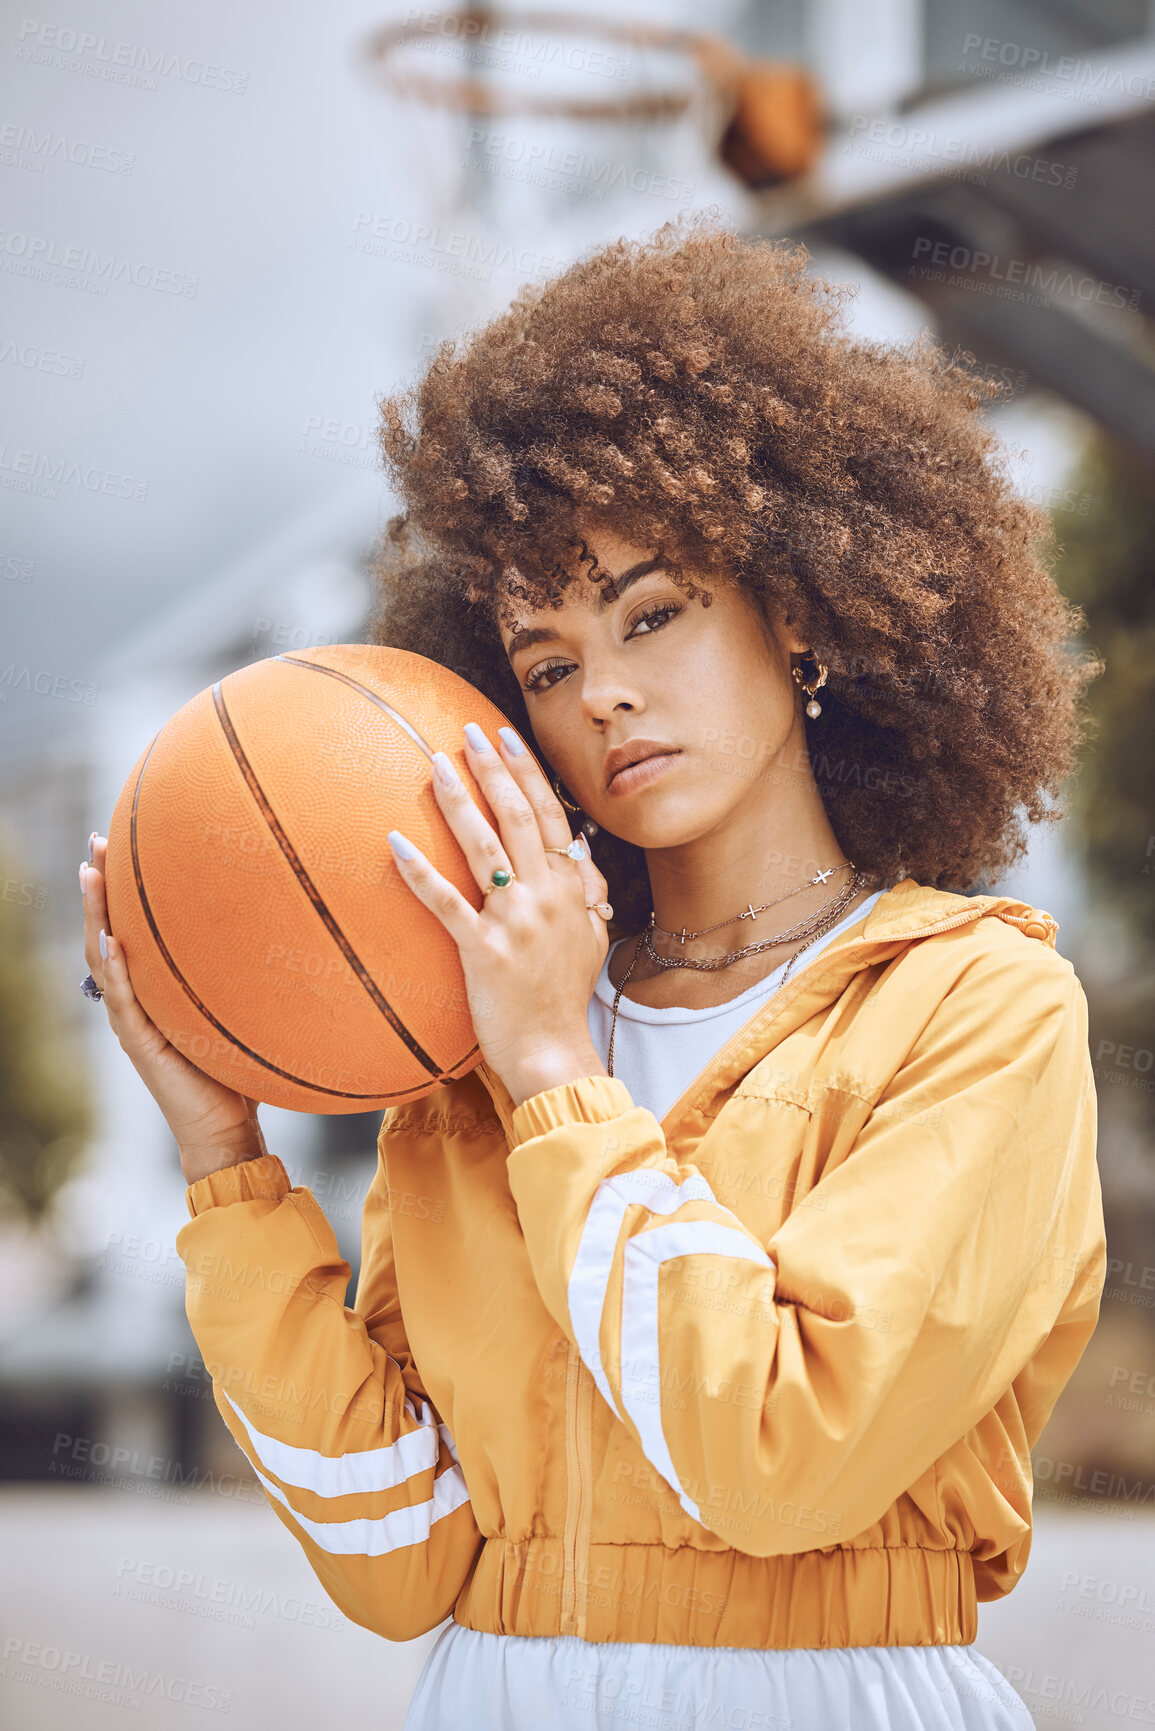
(699, 394)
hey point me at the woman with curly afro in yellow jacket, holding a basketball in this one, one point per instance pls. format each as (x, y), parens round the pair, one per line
(704, 1332)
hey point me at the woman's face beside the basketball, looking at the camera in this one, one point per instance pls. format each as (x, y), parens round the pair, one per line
(713, 685)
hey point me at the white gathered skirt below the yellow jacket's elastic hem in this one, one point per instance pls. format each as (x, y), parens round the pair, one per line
(522, 1683)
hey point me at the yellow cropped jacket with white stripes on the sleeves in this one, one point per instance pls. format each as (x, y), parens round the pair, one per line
(765, 1374)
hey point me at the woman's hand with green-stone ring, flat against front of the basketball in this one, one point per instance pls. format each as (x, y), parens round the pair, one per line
(534, 951)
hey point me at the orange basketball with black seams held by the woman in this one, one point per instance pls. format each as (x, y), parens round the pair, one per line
(268, 929)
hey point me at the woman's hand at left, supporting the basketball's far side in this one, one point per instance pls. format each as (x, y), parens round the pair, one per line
(214, 1128)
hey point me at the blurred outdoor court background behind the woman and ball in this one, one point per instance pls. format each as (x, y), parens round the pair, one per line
(226, 235)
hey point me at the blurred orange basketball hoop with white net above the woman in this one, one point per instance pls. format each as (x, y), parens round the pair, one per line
(517, 139)
